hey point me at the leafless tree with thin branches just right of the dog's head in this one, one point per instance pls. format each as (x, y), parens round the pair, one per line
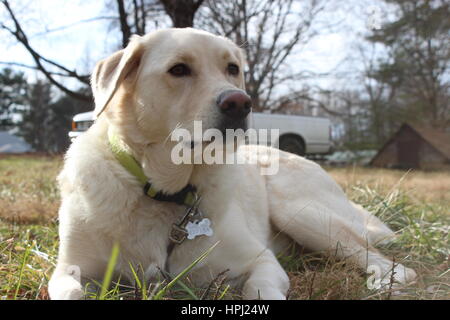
(269, 31)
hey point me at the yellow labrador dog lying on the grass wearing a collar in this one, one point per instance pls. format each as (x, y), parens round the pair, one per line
(166, 80)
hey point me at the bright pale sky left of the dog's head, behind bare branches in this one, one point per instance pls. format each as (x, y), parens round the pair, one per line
(76, 45)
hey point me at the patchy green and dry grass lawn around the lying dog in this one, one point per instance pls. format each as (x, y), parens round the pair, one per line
(414, 204)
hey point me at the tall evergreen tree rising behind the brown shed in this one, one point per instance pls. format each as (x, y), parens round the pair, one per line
(417, 65)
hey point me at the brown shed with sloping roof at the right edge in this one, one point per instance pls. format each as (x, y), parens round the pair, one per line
(413, 146)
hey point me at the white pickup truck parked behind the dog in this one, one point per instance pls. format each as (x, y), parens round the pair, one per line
(297, 134)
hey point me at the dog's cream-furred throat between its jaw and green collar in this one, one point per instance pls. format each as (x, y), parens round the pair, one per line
(155, 159)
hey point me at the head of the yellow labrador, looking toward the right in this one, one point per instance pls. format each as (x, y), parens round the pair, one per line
(170, 78)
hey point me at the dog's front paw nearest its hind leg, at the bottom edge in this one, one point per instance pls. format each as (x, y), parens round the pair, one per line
(267, 280)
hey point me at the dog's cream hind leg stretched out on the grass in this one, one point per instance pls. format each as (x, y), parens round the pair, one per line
(311, 208)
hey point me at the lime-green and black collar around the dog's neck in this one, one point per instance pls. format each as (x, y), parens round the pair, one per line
(187, 196)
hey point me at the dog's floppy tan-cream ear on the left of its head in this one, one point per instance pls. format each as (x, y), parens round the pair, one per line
(112, 71)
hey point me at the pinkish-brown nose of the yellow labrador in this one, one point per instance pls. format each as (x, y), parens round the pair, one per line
(236, 104)
